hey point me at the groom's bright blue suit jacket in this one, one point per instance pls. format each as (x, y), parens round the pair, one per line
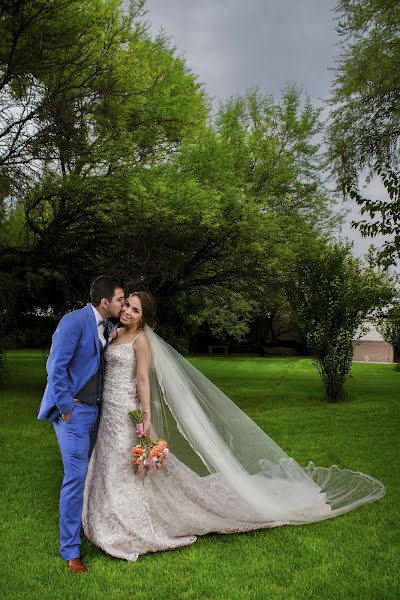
(74, 359)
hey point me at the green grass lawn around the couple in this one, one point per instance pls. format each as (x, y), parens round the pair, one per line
(355, 556)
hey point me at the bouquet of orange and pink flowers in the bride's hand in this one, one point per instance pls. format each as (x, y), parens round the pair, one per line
(149, 455)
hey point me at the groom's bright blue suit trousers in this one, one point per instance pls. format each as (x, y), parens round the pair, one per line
(76, 439)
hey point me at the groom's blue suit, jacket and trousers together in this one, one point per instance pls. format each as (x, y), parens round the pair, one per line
(74, 359)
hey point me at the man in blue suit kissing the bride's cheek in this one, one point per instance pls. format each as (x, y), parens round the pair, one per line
(71, 401)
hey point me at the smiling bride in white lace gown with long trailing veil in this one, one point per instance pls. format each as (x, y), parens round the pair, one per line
(223, 473)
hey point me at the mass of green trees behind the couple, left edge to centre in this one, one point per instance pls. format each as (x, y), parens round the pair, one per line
(120, 172)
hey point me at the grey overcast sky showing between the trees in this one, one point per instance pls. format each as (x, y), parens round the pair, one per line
(232, 45)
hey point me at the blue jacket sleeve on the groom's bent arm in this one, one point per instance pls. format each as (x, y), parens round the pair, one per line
(64, 343)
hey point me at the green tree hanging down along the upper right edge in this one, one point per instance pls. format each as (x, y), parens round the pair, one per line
(364, 132)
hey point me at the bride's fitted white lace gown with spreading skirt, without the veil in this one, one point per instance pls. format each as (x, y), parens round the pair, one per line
(126, 515)
